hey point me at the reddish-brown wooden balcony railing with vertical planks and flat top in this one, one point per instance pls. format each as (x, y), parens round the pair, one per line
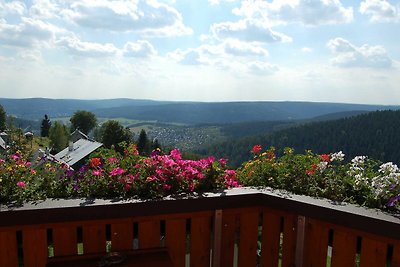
(240, 227)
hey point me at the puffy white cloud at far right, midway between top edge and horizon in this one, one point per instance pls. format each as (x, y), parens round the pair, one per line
(365, 56)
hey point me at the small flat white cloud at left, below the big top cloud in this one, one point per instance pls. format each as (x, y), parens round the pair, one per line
(77, 47)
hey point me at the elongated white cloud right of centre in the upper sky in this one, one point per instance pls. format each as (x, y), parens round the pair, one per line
(249, 31)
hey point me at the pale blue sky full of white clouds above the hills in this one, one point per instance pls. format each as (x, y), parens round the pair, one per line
(202, 50)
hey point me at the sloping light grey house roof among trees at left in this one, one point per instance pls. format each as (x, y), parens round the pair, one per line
(81, 149)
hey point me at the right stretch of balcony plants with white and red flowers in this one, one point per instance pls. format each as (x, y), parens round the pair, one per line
(362, 180)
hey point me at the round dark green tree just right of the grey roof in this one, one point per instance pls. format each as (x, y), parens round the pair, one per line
(113, 133)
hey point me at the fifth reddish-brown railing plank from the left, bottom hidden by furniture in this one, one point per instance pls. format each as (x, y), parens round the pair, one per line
(122, 235)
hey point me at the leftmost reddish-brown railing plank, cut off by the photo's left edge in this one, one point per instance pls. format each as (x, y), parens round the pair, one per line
(8, 248)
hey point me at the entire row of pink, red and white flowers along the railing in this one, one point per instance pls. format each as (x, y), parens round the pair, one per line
(110, 175)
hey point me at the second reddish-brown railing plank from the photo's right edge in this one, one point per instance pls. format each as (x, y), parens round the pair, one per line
(373, 253)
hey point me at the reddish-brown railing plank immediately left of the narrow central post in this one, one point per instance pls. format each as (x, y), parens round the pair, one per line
(200, 236)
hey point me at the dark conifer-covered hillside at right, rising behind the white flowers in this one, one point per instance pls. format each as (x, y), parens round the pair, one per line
(374, 134)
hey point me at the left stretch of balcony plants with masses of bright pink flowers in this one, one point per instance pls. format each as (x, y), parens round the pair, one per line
(112, 175)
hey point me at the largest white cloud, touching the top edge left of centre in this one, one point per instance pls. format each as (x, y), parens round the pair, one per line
(145, 16)
